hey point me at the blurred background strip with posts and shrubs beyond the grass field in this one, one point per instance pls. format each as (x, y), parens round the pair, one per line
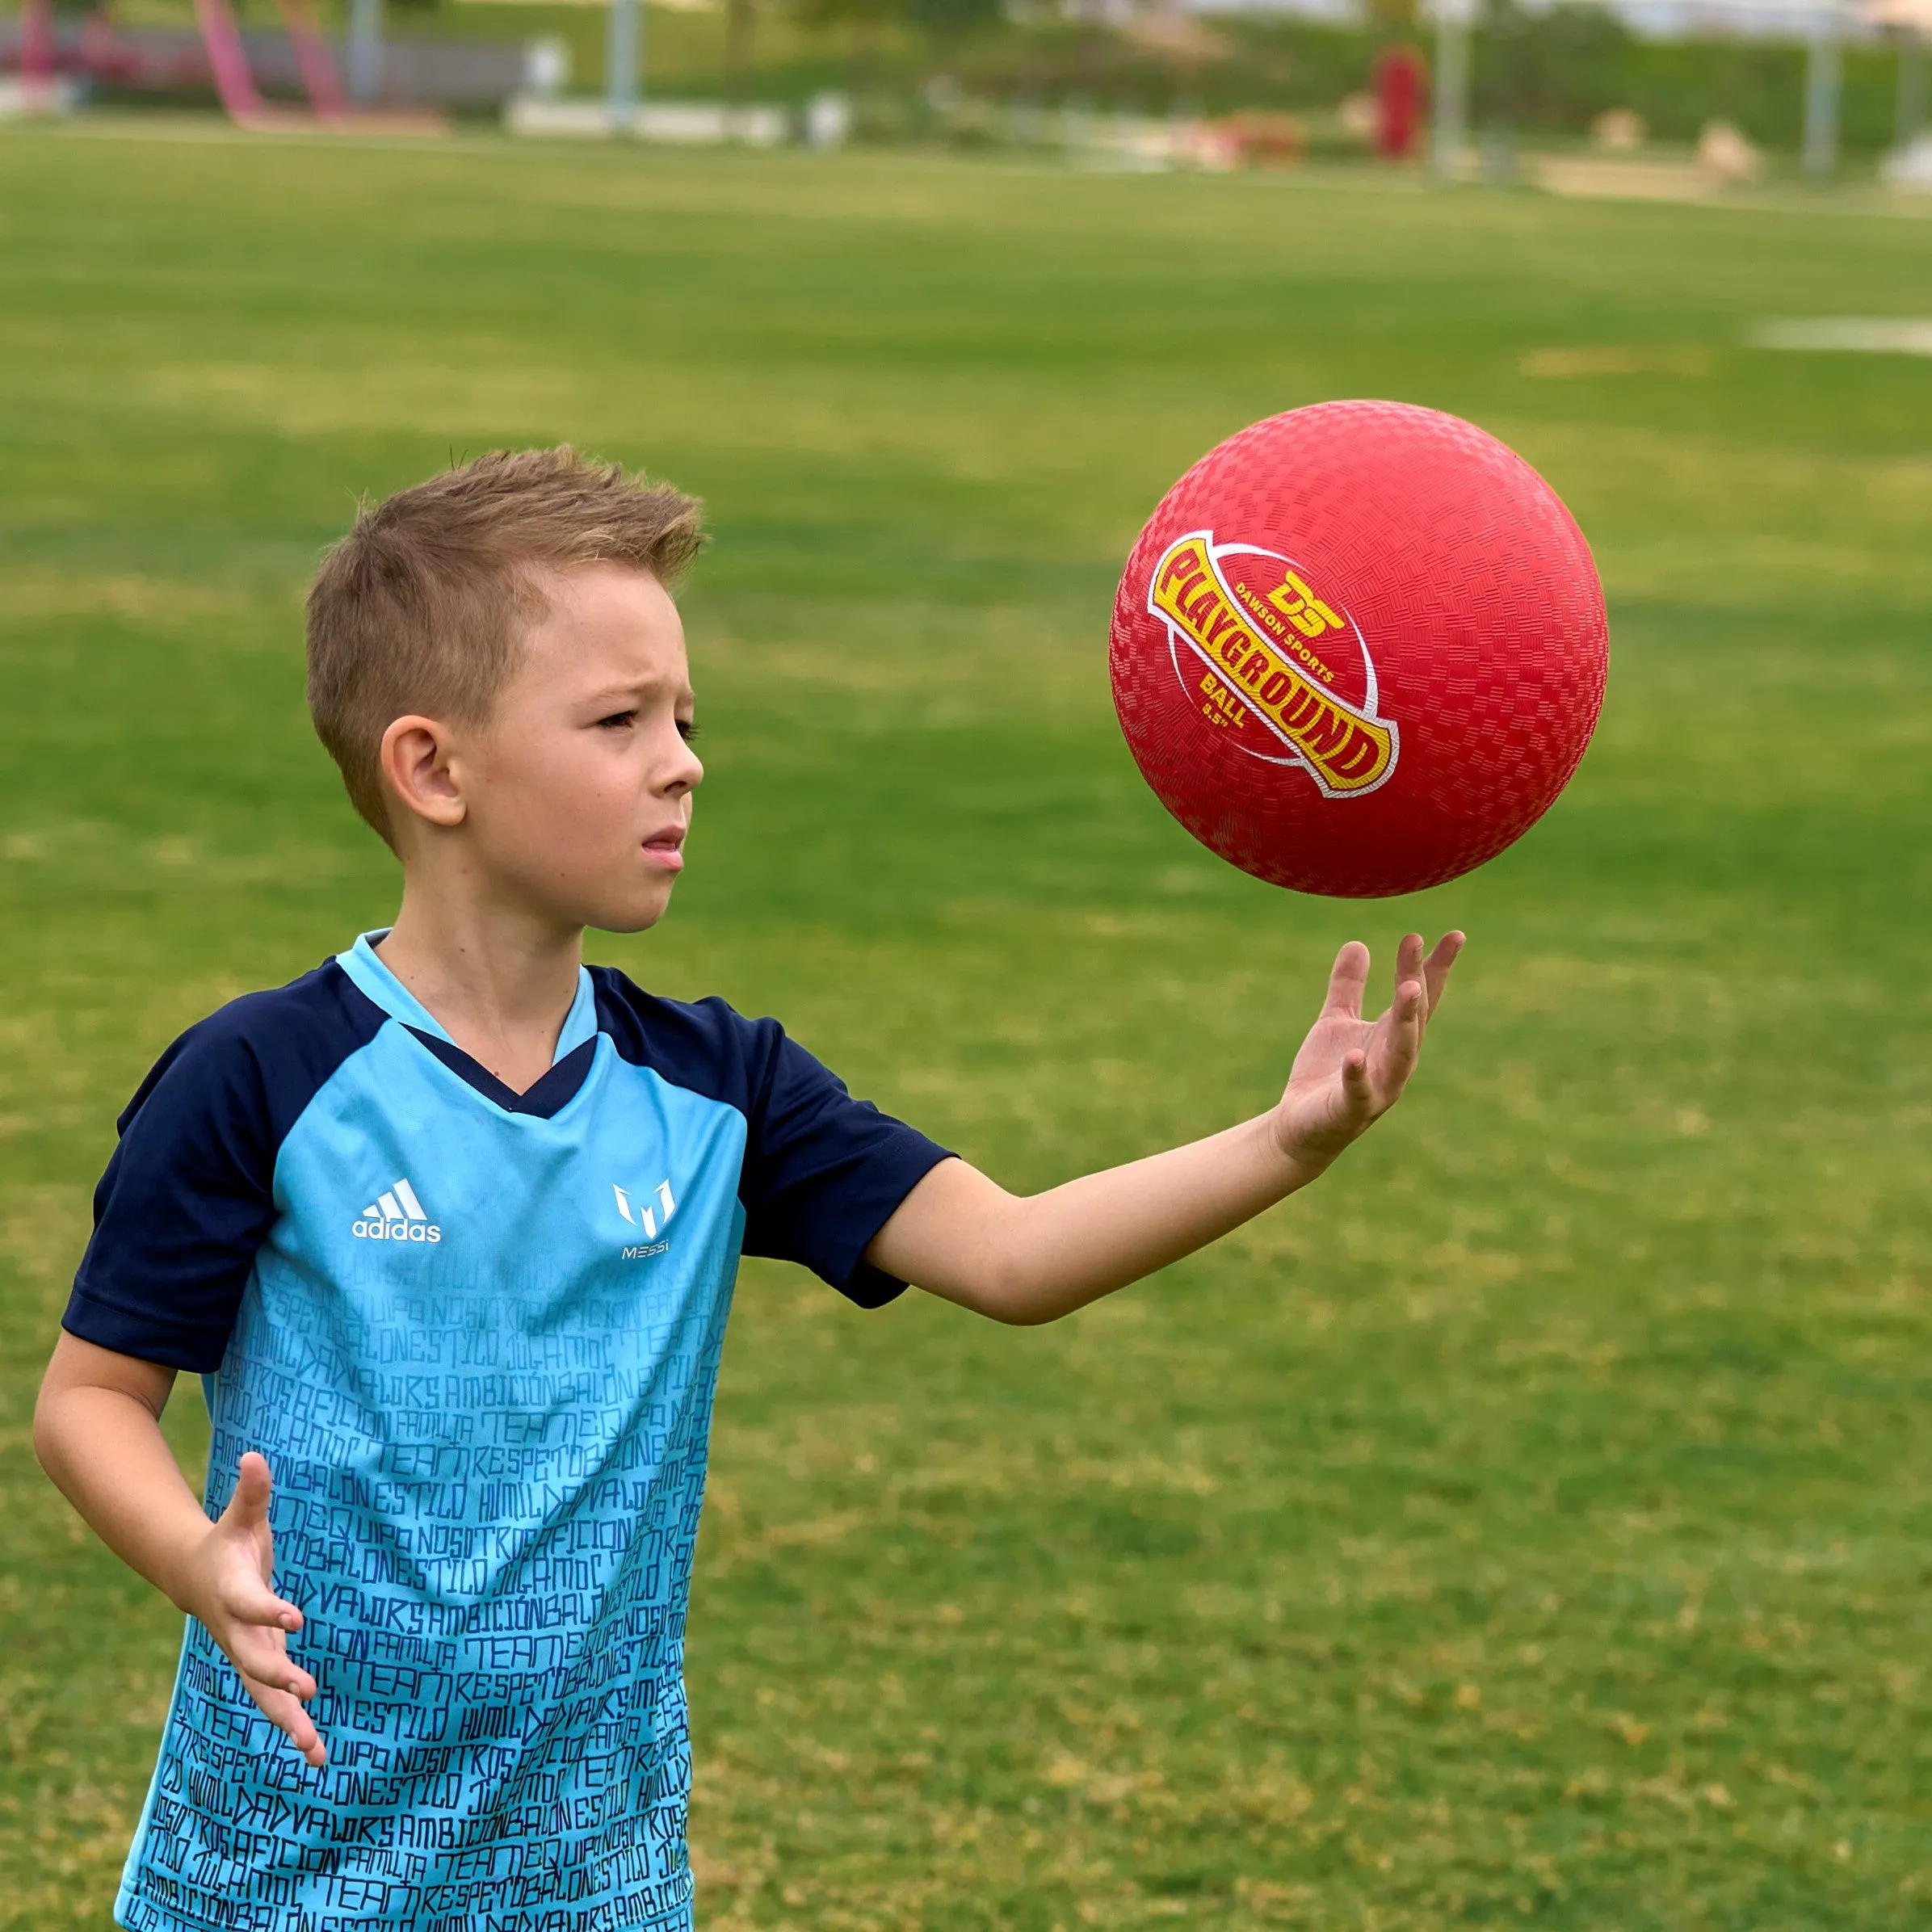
(1664, 96)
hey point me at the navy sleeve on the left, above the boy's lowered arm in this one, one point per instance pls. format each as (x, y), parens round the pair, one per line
(188, 1195)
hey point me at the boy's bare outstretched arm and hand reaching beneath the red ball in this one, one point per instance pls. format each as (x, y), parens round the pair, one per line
(1037, 1259)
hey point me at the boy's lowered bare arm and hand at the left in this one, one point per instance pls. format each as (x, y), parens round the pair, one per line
(98, 1435)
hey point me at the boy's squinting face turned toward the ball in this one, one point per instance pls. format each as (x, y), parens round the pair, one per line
(579, 789)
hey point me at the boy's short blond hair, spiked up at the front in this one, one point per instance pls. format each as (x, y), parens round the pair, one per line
(426, 602)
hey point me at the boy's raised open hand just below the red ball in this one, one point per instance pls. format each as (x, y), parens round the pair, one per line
(1353, 1071)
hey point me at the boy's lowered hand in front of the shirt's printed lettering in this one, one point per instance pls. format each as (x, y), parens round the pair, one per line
(225, 1585)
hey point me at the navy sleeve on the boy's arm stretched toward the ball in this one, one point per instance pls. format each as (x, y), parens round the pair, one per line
(822, 1172)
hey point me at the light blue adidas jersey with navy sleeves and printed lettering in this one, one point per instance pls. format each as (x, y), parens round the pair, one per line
(476, 1336)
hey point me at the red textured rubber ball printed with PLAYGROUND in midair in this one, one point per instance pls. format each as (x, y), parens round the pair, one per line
(1359, 648)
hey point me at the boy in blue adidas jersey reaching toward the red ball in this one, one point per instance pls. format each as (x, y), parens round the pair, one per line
(449, 1228)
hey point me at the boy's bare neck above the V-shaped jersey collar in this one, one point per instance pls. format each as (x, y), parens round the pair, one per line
(497, 980)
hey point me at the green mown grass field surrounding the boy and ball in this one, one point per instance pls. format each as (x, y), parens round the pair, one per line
(1529, 1525)
